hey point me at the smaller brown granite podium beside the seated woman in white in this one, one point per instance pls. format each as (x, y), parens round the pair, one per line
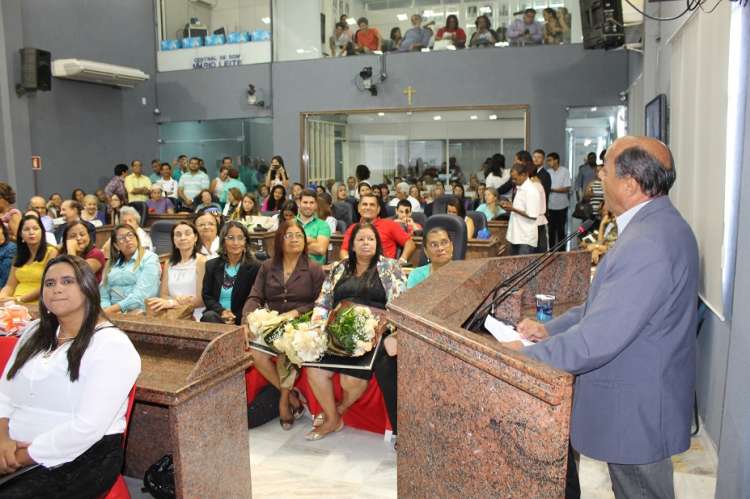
(190, 402)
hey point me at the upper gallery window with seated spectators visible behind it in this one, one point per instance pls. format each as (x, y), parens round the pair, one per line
(388, 21)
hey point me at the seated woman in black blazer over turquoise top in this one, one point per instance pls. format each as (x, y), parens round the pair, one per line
(230, 276)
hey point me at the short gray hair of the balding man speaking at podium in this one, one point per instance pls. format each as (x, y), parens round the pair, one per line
(654, 177)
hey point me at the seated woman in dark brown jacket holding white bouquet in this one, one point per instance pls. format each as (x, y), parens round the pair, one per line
(288, 283)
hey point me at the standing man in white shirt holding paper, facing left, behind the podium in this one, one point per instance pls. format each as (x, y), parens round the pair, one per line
(523, 234)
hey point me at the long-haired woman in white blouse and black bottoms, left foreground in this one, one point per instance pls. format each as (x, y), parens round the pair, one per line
(64, 392)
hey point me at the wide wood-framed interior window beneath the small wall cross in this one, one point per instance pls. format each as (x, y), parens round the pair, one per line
(448, 144)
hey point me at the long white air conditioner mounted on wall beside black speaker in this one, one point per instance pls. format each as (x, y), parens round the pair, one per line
(98, 72)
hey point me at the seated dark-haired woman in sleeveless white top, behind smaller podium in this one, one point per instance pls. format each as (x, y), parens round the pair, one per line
(182, 282)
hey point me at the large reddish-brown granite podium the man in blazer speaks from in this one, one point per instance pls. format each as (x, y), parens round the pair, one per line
(476, 419)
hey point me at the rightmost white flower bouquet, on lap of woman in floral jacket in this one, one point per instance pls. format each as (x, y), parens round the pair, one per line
(351, 331)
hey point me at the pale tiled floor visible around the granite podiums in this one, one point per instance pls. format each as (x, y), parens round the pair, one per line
(359, 464)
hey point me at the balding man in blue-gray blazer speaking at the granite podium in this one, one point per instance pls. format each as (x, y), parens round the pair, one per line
(632, 344)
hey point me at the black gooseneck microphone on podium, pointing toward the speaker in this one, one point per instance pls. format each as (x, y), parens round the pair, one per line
(520, 278)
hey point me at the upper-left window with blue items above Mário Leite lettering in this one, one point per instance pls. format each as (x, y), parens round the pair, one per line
(205, 34)
